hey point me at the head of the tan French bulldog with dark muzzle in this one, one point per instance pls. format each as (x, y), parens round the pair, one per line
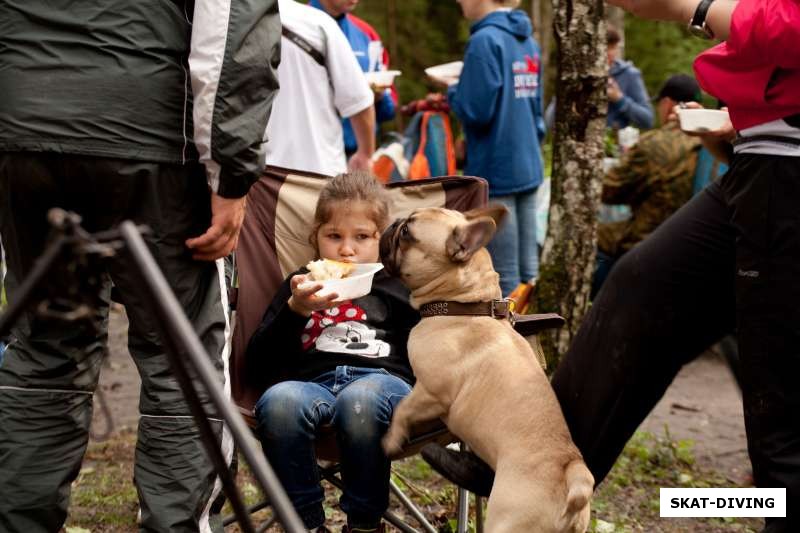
(433, 241)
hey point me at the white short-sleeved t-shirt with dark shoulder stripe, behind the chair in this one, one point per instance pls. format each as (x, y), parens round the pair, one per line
(305, 128)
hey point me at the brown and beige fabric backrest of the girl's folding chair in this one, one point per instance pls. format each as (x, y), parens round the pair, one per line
(274, 242)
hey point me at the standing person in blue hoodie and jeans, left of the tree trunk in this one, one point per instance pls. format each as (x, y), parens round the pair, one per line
(498, 100)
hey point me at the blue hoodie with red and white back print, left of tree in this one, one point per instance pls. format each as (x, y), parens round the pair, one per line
(498, 100)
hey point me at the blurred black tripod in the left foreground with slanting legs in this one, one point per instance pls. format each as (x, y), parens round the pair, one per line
(83, 252)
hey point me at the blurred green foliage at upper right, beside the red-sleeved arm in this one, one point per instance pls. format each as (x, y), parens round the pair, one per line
(660, 49)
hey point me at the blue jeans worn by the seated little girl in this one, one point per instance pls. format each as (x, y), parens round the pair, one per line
(358, 403)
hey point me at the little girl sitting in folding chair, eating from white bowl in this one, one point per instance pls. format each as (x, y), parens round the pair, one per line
(342, 363)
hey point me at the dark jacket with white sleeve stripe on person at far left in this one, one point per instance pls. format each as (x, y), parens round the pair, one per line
(116, 78)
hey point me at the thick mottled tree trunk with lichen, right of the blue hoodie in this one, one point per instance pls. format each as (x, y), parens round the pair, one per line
(570, 246)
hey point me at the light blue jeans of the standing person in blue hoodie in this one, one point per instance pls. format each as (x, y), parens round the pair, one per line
(514, 251)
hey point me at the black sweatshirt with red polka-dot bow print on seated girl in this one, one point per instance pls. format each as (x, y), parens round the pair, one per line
(289, 346)
